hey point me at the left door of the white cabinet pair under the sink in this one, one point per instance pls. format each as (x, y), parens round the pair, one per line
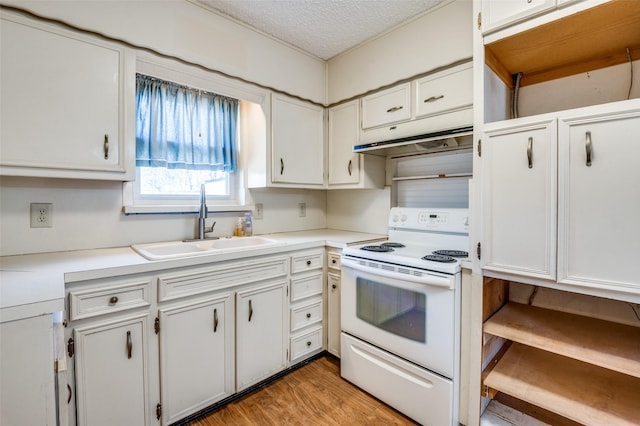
(196, 356)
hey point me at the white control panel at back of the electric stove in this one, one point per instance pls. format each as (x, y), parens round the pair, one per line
(442, 220)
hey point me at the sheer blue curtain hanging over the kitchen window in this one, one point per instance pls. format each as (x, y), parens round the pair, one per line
(183, 128)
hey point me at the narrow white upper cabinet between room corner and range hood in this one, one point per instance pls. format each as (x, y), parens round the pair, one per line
(346, 168)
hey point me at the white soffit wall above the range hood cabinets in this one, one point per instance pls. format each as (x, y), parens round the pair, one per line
(436, 39)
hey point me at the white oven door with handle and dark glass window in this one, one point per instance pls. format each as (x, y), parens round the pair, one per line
(413, 319)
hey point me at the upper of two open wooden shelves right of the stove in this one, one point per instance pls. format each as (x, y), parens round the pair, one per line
(606, 344)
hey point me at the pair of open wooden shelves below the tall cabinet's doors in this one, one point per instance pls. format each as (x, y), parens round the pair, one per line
(582, 368)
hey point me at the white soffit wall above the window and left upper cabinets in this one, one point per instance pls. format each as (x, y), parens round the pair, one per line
(190, 32)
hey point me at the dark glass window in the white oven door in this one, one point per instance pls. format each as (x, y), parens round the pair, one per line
(395, 310)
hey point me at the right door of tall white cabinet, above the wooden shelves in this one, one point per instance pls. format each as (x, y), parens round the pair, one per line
(599, 200)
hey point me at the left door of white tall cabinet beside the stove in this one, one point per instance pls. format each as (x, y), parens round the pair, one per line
(519, 191)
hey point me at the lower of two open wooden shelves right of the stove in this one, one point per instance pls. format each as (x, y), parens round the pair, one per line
(576, 390)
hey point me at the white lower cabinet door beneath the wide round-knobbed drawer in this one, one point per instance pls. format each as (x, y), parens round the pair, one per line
(112, 373)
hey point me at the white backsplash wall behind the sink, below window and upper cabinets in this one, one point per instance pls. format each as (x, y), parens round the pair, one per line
(88, 214)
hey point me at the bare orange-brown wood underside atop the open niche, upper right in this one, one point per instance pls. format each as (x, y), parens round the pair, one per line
(591, 39)
